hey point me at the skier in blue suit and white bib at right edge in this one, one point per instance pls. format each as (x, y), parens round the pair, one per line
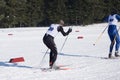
(112, 20)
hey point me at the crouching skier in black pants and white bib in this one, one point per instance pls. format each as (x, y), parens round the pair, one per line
(48, 40)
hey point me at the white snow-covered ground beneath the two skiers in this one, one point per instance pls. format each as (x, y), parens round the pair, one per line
(84, 59)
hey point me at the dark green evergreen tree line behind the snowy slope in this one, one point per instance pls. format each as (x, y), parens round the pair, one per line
(26, 13)
